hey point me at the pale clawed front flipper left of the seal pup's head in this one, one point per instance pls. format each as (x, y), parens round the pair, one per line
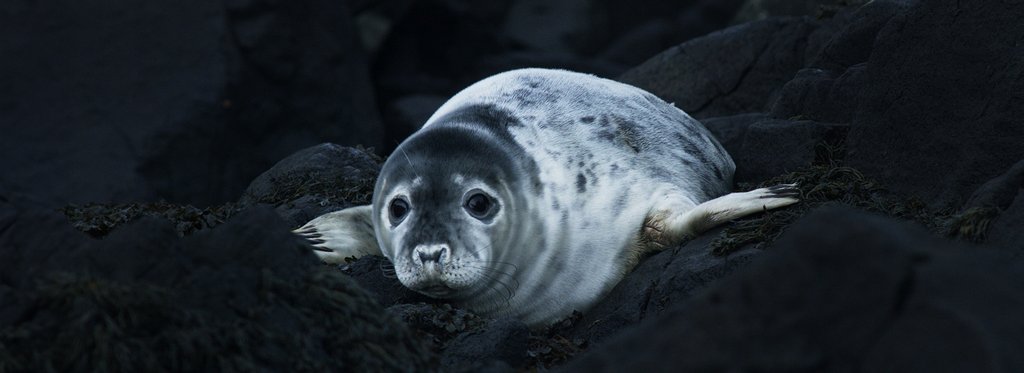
(343, 234)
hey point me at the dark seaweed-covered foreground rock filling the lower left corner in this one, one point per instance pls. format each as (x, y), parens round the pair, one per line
(246, 296)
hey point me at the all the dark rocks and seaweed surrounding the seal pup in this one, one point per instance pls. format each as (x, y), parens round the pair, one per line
(157, 156)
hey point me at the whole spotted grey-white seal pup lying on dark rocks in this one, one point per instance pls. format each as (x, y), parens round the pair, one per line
(532, 193)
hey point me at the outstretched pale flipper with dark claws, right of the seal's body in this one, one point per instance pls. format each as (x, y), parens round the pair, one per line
(672, 225)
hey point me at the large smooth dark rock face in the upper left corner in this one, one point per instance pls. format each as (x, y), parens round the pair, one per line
(93, 85)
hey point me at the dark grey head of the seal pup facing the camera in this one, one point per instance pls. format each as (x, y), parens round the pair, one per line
(446, 200)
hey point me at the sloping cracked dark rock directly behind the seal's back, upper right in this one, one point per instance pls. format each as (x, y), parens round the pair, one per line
(739, 70)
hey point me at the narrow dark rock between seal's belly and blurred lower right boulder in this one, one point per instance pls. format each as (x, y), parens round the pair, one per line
(657, 284)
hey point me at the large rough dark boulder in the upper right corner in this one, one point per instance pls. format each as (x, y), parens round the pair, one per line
(940, 113)
